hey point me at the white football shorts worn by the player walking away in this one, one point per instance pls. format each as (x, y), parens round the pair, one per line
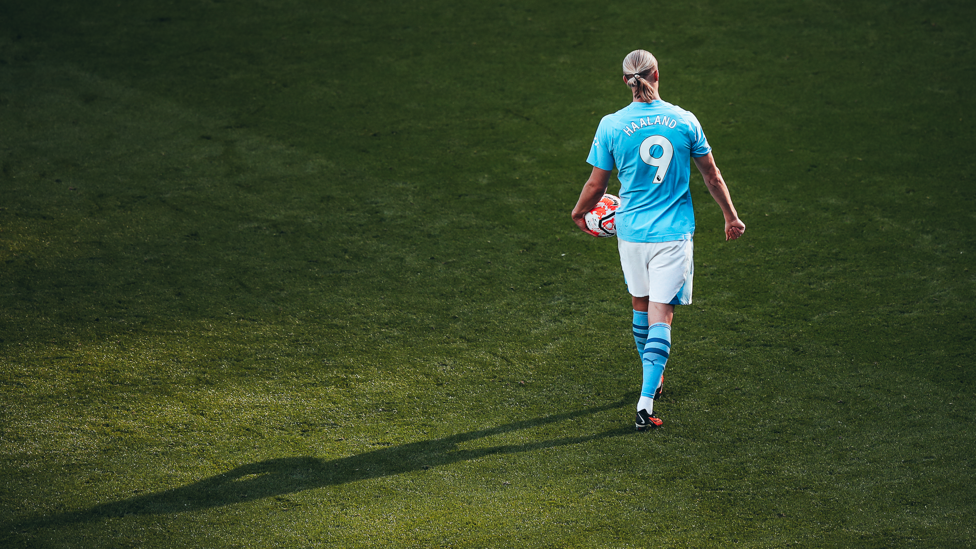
(662, 271)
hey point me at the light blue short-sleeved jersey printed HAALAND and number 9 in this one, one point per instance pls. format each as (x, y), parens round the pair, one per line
(651, 145)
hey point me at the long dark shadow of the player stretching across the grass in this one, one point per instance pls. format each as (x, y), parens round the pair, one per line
(282, 476)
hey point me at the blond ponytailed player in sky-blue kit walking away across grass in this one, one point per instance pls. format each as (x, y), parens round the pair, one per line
(652, 143)
